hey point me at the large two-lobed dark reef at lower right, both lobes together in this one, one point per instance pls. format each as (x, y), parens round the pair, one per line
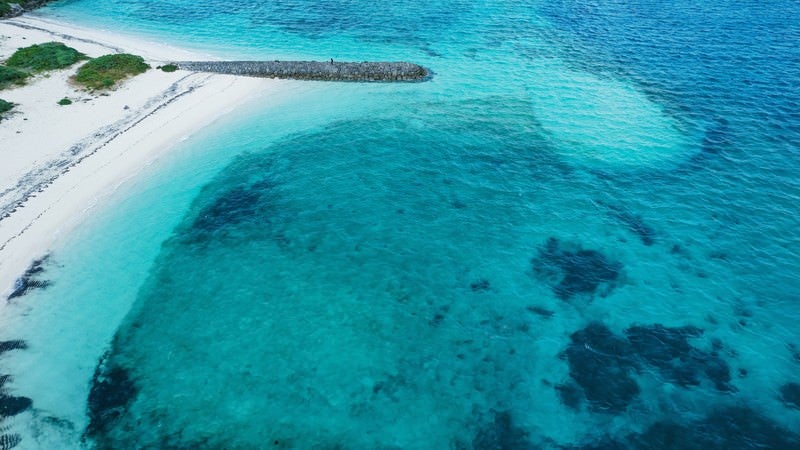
(603, 365)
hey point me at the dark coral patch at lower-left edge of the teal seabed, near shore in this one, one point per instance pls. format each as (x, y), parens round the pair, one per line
(111, 391)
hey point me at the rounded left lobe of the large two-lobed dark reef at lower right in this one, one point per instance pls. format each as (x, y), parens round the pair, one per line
(602, 364)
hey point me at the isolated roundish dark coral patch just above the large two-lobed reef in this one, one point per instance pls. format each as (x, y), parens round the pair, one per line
(571, 270)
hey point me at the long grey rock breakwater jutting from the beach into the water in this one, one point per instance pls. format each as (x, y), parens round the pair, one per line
(314, 70)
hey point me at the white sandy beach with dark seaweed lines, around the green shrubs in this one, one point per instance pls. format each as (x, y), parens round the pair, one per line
(58, 162)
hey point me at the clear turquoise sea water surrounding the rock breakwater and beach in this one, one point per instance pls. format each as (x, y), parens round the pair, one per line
(581, 233)
